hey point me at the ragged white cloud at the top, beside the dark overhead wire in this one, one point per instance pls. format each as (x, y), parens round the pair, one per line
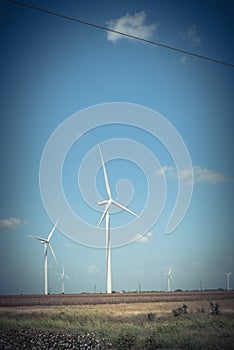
(131, 24)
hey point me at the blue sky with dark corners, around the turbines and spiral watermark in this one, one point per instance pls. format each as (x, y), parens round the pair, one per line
(51, 69)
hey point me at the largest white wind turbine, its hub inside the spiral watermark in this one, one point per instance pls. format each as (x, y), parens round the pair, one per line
(106, 215)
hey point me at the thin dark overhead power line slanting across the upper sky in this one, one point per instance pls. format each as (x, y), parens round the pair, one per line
(121, 33)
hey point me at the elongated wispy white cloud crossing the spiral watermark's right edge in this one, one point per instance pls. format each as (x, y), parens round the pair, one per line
(200, 175)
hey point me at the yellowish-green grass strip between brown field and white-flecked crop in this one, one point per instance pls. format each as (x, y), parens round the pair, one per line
(128, 327)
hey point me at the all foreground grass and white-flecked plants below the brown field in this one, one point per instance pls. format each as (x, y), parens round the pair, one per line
(117, 327)
